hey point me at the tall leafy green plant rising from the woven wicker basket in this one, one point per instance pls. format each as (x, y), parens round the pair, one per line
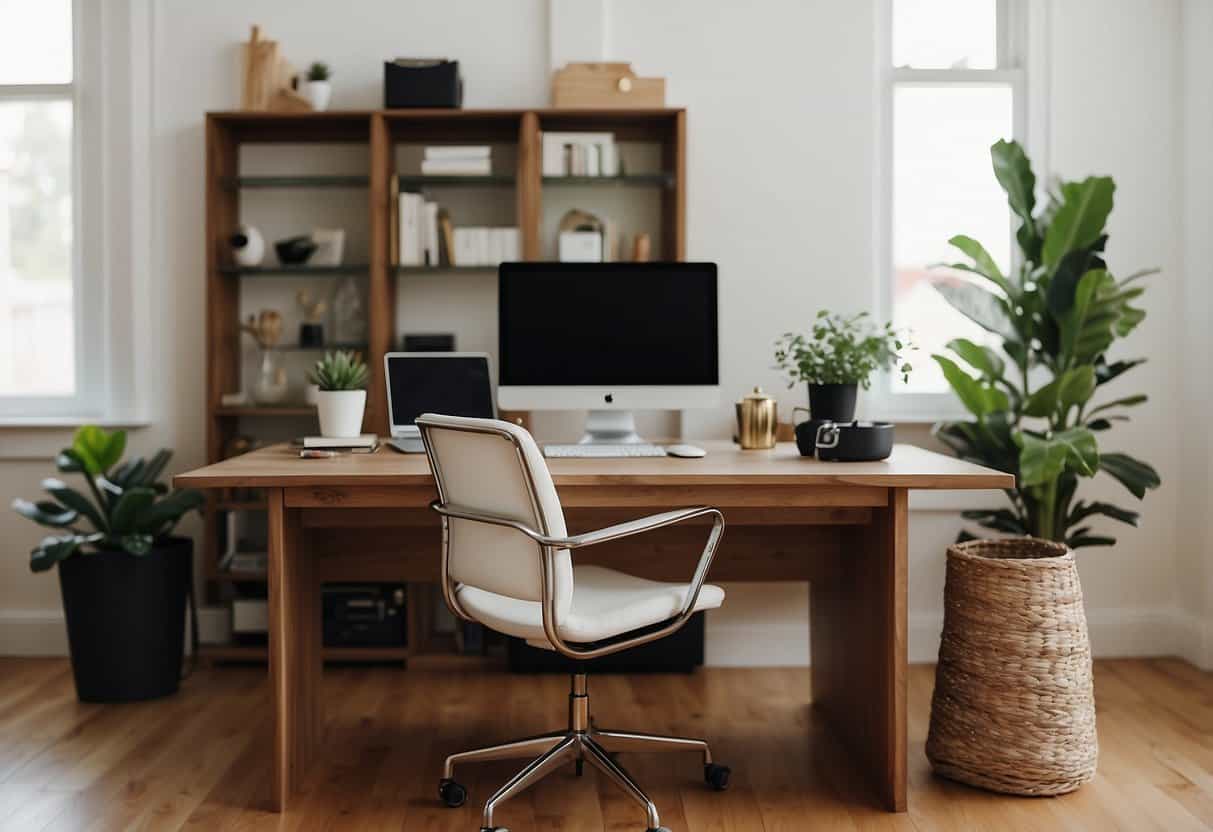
(1056, 316)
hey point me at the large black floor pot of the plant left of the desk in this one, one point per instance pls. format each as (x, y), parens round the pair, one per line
(127, 622)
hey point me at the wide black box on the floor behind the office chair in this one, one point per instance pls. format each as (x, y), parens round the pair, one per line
(681, 653)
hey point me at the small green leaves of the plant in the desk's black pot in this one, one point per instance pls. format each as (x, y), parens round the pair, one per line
(841, 351)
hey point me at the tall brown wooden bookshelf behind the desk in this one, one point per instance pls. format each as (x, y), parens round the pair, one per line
(380, 134)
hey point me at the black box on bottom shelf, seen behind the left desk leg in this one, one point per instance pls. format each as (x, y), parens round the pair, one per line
(363, 616)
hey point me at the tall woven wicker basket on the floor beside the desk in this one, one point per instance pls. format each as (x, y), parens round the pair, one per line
(1015, 708)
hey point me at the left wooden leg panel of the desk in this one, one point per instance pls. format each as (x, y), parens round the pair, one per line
(295, 663)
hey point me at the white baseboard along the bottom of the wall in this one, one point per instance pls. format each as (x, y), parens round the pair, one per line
(1114, 634)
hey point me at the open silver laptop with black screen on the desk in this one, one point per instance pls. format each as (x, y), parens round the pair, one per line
(451, 384)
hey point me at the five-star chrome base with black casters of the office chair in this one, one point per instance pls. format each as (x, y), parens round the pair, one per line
(583, 742)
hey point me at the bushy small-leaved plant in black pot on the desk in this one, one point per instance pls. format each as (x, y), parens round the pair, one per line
(836, 358)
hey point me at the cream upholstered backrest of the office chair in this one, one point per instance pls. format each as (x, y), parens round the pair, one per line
(486, 465)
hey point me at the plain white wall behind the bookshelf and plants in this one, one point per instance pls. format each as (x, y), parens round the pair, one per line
(782, 133)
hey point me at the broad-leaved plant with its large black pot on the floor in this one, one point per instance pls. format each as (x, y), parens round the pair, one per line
(123, 575)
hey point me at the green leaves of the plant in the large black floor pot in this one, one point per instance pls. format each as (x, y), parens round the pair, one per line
(129, 510)
